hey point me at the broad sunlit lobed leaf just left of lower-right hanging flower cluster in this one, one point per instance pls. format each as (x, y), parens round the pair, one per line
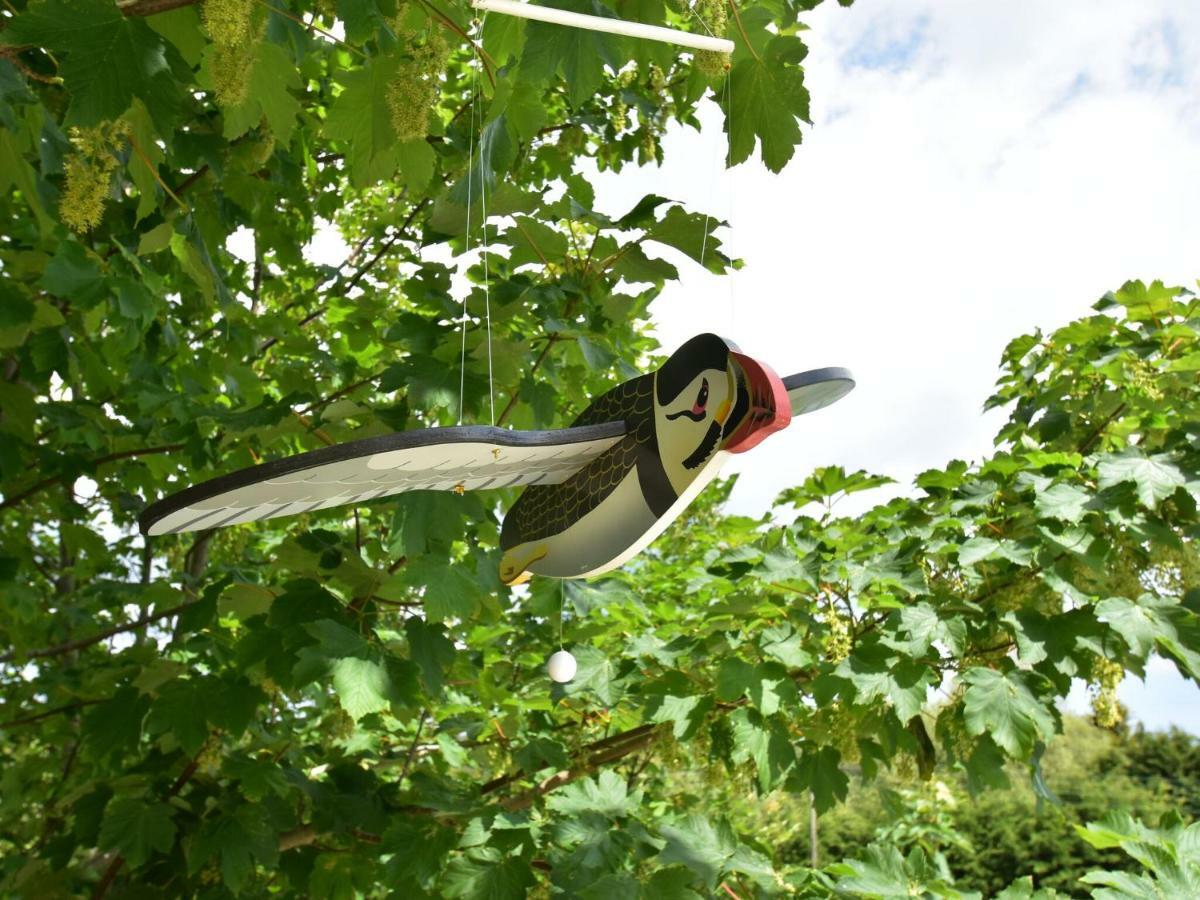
(1003, 706)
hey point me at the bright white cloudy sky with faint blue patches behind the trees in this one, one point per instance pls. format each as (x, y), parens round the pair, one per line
(975, 171)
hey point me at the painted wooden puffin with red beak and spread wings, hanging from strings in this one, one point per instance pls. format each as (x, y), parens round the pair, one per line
(597, 493)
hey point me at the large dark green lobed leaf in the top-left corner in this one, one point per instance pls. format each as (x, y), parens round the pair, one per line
(109, 59)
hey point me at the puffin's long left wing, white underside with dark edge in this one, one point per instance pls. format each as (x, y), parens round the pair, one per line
(465, 458)
